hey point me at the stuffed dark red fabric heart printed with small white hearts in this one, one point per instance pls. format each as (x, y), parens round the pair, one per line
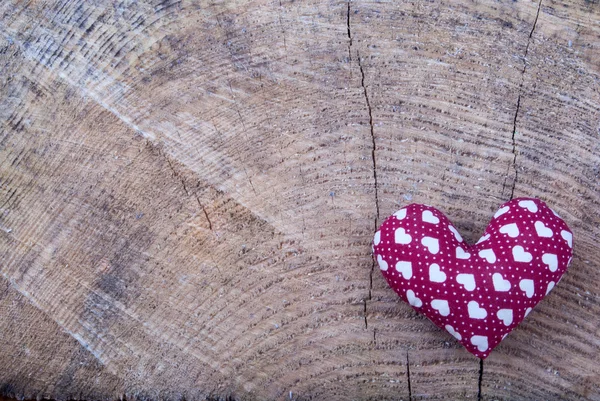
(478, 293)
